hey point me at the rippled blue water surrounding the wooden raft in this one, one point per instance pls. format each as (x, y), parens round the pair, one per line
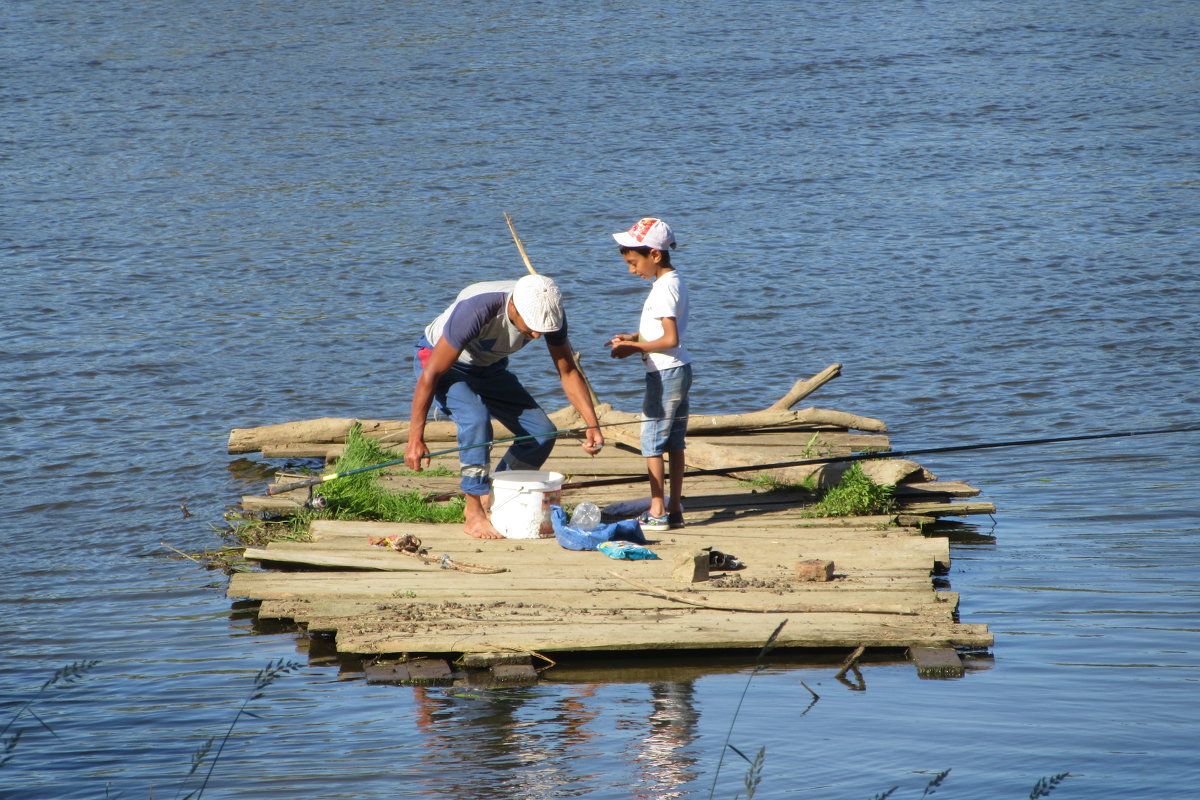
(233, 214)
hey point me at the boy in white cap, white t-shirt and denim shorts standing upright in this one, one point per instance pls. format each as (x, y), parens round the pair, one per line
(647, 249)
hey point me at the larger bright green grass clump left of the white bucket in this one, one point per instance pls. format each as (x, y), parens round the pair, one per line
(362, 497)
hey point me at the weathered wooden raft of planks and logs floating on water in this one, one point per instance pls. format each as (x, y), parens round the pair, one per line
(844, 584)
